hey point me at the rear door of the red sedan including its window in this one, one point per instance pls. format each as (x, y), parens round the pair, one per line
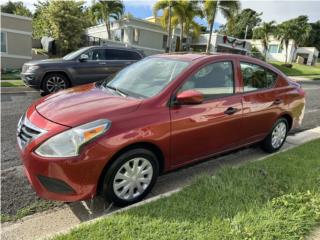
(261, 100)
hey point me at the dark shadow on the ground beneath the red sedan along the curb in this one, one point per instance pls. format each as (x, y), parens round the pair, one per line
(97, 206)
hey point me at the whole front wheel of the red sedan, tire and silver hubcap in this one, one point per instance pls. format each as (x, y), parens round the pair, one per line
(120, 185)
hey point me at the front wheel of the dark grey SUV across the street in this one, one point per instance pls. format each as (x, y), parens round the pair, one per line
(54, 82)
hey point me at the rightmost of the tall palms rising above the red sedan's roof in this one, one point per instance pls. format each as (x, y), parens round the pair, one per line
(211, 7)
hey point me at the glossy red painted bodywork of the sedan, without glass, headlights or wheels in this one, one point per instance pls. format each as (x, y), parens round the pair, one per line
(182, 133)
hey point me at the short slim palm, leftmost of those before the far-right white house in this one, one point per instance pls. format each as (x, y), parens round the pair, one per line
(264, 32)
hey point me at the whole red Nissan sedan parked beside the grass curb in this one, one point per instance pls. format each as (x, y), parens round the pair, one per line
(114, 138)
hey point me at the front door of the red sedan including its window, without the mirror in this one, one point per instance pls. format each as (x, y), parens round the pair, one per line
(213, 126)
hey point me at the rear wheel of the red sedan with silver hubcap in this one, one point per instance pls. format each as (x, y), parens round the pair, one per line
(276, 138)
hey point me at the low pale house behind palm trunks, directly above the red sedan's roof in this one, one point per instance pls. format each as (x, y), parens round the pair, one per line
(221, 43)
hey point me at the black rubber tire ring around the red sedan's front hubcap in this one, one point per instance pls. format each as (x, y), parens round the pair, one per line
(109, 178)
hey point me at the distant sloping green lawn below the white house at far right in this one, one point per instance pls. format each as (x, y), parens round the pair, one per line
(297, 69)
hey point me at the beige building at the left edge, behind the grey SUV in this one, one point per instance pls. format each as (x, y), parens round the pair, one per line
(16, 40)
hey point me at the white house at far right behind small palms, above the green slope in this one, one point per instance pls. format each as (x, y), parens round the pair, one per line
(277, 53)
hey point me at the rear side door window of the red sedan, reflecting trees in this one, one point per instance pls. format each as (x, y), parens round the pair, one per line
(256, 77)
